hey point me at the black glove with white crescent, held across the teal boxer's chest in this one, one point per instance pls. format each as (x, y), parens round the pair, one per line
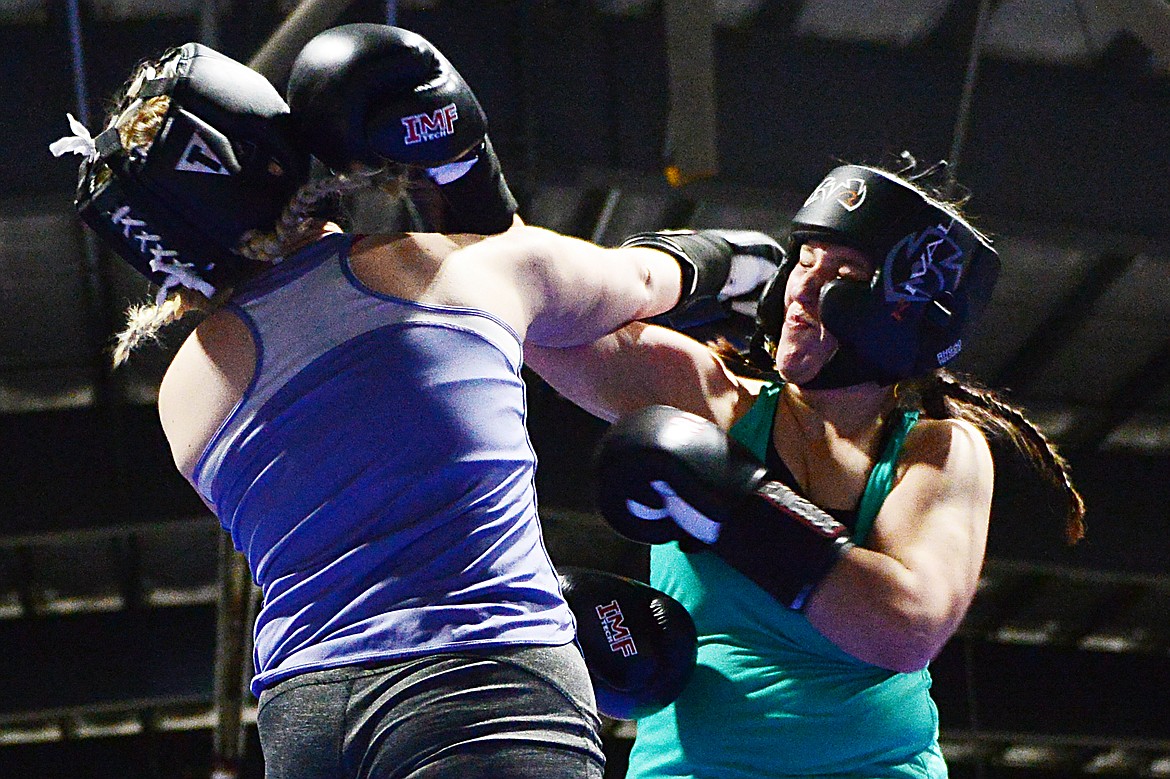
(667, 475)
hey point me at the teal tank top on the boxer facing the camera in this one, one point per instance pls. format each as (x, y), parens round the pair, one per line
(772, 697)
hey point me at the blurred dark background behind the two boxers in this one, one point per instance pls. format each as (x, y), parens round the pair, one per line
(1058, 130)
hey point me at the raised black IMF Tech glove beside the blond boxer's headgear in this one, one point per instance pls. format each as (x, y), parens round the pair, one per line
(370, 94)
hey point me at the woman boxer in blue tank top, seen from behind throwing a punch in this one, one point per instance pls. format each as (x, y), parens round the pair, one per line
(352, 408)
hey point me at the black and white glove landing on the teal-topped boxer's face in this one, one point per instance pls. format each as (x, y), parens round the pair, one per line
(717, 265)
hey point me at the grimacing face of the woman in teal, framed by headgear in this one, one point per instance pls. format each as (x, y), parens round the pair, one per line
(806, 347)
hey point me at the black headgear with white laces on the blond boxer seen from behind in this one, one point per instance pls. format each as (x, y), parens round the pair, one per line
(223, 163)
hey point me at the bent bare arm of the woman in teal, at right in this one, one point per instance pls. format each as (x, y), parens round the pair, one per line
(898, 603)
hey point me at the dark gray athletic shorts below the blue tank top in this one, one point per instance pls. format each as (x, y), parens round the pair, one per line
(507, 714)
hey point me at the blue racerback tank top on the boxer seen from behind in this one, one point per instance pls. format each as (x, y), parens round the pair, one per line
(378, 477)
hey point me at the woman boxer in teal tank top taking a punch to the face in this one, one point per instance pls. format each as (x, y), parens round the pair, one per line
(825, 526)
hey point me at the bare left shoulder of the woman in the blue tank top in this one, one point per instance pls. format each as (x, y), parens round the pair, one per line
(207, 380)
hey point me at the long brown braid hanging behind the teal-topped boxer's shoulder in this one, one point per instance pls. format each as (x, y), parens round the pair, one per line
(945, 396)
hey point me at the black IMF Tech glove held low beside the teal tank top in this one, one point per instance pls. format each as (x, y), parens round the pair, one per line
(639, 644)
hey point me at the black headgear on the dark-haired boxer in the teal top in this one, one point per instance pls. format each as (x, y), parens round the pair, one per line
(934, 275)
